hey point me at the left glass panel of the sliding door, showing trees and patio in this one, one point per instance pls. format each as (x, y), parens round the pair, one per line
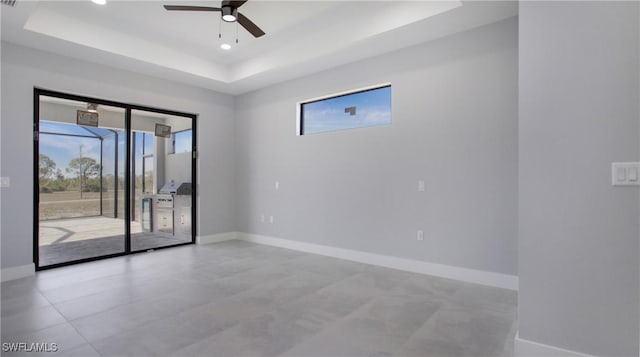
(80, 181)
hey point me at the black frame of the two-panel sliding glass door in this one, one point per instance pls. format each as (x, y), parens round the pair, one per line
(37, 92)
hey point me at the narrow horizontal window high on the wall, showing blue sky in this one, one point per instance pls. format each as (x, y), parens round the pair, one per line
(358, 109)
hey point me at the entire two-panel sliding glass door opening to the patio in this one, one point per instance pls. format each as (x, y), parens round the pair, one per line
(110, 179)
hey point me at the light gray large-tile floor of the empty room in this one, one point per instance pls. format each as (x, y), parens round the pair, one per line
(242, 299)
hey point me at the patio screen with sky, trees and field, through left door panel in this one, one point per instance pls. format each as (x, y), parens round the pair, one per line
(89, 185)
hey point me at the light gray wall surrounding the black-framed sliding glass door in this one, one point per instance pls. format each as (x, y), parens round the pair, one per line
(23, 68)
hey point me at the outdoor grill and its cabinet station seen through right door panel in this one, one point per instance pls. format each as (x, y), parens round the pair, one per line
(171, 212)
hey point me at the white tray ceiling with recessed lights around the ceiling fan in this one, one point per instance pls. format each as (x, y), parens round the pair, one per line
(302, 37)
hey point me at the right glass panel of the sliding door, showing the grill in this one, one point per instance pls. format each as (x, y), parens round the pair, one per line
(161, 180)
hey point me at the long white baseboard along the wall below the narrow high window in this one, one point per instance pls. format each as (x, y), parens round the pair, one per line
(416, 266)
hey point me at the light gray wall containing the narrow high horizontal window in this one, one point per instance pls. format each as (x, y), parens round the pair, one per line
(454, 126)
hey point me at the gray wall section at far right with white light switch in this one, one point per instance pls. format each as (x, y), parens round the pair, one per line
(578, 235)
